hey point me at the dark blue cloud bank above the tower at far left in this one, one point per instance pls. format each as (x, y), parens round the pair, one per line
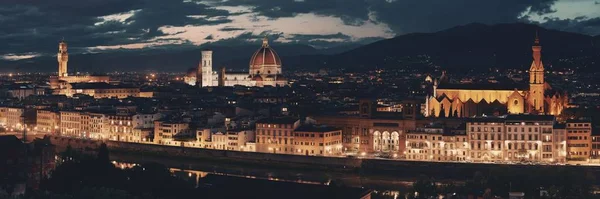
(37, 25)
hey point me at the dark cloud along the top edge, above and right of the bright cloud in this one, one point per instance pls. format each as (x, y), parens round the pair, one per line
(403, 16)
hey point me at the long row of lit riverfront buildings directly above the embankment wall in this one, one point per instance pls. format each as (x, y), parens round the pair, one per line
(372, 133)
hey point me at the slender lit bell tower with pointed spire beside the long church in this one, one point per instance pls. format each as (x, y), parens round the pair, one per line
(536, 78)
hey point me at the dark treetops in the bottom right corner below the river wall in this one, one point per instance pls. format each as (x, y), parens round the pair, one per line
(543, 182)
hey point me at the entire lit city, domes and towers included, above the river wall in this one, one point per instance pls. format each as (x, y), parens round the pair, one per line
(318, 115)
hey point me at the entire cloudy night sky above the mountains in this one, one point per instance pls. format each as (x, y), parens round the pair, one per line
(31, 28)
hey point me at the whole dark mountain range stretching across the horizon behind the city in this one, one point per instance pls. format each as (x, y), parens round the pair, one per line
(473, 46)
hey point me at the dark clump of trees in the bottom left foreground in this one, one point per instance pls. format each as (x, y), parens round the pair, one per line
(88, 176)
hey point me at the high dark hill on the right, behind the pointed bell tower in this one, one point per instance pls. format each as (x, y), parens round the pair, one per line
(477, 46)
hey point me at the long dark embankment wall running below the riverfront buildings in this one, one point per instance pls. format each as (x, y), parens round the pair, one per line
(363, 167)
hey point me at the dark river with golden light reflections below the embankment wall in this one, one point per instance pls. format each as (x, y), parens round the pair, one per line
(195, 170)
